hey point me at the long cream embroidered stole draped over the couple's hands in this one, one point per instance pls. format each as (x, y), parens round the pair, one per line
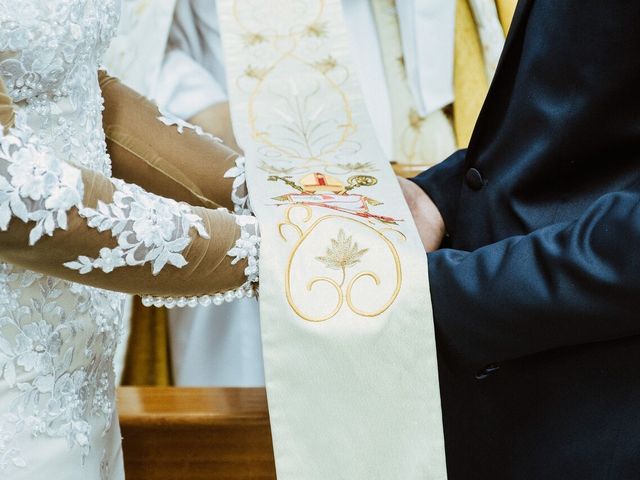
(347, 328)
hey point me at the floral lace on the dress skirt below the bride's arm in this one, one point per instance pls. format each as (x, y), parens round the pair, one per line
(60, 367)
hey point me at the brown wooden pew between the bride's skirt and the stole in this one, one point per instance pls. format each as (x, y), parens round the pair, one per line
(195, 434)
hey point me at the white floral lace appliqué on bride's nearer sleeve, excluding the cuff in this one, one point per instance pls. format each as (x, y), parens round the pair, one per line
(37, 186)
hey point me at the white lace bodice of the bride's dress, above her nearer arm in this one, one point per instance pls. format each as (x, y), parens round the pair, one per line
(49, 53)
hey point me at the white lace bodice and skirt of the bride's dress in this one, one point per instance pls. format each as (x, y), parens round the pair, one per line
(57, 338)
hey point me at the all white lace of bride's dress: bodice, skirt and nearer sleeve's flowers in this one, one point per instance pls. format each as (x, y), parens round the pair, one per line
(58, 338)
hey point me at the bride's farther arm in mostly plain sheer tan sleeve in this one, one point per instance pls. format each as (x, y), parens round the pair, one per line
(167, 156)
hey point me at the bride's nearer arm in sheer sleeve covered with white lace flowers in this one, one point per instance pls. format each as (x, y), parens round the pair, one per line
(79, 225)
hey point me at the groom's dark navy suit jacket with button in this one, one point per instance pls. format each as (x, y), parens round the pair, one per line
(537, 296)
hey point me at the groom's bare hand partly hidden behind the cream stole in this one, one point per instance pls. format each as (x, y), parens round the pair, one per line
(425, 214)
